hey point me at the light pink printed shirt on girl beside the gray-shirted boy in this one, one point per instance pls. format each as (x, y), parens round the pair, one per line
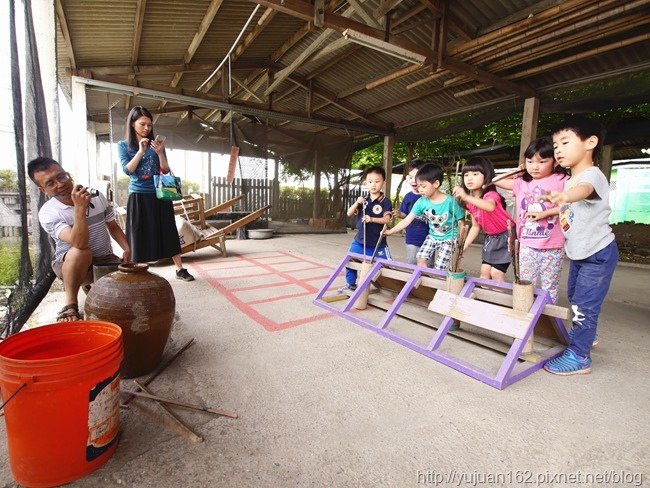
(545, 233)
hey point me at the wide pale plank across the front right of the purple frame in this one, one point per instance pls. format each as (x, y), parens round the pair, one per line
(480, 314)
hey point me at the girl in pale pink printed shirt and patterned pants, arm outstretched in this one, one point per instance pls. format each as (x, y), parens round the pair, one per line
(542, 242)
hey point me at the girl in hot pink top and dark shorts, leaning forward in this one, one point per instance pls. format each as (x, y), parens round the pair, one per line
(488, 210)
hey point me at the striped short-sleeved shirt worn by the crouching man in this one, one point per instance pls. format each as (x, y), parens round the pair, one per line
(55, 216)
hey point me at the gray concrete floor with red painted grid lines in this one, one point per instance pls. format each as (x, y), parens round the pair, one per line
(324, 402)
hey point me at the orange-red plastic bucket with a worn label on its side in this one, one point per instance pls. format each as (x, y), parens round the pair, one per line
(64, 421)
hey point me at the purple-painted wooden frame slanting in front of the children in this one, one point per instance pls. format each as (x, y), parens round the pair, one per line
(504, 376)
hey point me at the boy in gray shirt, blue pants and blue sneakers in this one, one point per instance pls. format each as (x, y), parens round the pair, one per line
(590, 245)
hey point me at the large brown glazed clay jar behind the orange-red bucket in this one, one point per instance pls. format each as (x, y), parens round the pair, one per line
(143, 305)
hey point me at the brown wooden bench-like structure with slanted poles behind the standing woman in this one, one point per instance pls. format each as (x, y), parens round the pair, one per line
(191, 208)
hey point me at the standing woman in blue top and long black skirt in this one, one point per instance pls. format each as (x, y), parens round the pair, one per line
(150, 227)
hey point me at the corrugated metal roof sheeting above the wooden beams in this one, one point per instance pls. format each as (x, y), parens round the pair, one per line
(561, 44)
